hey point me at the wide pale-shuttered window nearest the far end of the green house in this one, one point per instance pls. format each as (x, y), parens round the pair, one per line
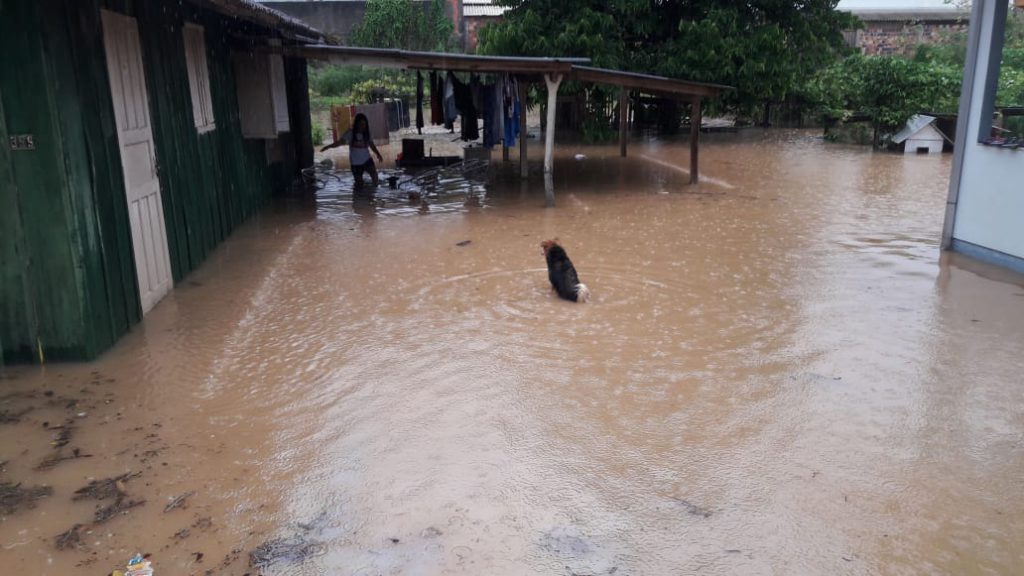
(263, 97)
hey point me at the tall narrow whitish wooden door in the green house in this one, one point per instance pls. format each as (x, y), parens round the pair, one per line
(139, 157)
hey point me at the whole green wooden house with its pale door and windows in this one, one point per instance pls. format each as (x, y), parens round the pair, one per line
(137, 136)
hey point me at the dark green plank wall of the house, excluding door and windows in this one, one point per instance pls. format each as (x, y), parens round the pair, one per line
(67, 272)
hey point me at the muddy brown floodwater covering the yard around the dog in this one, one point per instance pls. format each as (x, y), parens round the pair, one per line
(779, 375)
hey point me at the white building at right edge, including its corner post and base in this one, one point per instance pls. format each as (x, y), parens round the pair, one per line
(986, 208)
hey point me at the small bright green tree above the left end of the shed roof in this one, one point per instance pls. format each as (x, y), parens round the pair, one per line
(403, 25)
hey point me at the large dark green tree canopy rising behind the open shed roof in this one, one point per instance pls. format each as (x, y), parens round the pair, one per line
(764, 49)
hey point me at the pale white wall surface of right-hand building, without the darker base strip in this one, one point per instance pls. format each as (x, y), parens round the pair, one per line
(991, 204)
